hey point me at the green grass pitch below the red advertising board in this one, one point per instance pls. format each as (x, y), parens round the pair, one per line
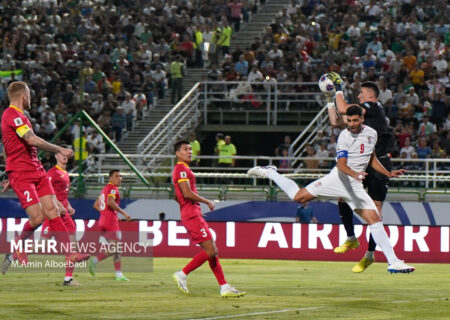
(275, 290)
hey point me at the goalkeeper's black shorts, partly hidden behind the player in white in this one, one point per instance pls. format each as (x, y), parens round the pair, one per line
(377, 183)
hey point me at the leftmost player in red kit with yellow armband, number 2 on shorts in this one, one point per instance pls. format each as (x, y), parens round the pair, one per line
(26, 176)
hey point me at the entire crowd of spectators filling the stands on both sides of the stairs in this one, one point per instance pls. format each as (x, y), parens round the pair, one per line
(112, 58)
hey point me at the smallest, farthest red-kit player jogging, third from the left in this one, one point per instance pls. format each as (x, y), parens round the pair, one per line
(108, 206)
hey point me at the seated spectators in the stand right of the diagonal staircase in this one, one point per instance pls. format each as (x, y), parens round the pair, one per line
(401, 45)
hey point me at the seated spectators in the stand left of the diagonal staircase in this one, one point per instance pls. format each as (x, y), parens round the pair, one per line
(110, 58)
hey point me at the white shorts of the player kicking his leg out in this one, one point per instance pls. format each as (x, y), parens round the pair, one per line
(339, 185)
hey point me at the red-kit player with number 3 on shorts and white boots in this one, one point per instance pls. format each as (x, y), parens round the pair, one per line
(191, 216)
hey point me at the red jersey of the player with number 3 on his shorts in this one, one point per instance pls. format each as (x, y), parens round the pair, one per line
(188, 208)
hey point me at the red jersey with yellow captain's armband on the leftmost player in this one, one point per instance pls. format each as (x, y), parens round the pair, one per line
(20, 156)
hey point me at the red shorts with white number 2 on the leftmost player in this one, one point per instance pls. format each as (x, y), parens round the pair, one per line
(29, 186)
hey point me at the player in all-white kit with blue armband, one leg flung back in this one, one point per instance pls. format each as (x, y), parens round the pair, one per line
(355, 151)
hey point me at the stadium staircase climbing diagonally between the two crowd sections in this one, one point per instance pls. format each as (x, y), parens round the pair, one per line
(243, 38)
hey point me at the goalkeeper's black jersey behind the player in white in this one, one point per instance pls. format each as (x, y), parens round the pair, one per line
(376, 119)
